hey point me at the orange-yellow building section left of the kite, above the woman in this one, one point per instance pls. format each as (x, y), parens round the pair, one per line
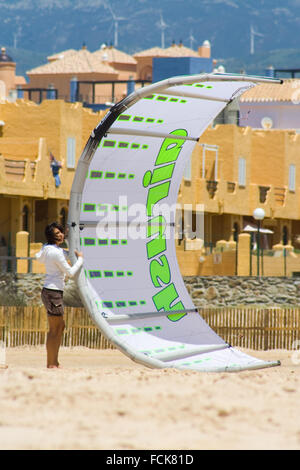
(29, 198)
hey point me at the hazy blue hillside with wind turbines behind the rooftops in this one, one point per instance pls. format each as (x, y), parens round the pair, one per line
(32, 29)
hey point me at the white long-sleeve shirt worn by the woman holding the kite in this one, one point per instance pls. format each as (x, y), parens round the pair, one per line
(56, 266)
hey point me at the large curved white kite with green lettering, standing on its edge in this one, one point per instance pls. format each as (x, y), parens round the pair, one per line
(122, 217)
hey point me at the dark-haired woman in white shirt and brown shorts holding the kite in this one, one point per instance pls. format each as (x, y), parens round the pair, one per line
(52, 293)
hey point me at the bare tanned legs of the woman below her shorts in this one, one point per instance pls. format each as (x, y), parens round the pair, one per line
(56, 328)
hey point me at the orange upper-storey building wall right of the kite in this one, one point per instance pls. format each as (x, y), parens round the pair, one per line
(267, 155)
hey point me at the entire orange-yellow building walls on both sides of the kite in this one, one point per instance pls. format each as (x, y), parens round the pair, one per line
(29, 198)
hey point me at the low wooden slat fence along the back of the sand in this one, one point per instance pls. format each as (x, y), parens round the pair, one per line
(254, 328)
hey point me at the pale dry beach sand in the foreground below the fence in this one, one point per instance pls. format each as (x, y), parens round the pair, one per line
(103, 400)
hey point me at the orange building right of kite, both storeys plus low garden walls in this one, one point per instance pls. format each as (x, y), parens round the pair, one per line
(228, 202)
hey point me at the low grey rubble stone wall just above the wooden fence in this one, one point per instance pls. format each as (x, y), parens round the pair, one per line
(218, 291)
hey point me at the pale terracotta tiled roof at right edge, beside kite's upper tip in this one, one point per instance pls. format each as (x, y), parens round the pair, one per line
(266, 92)
